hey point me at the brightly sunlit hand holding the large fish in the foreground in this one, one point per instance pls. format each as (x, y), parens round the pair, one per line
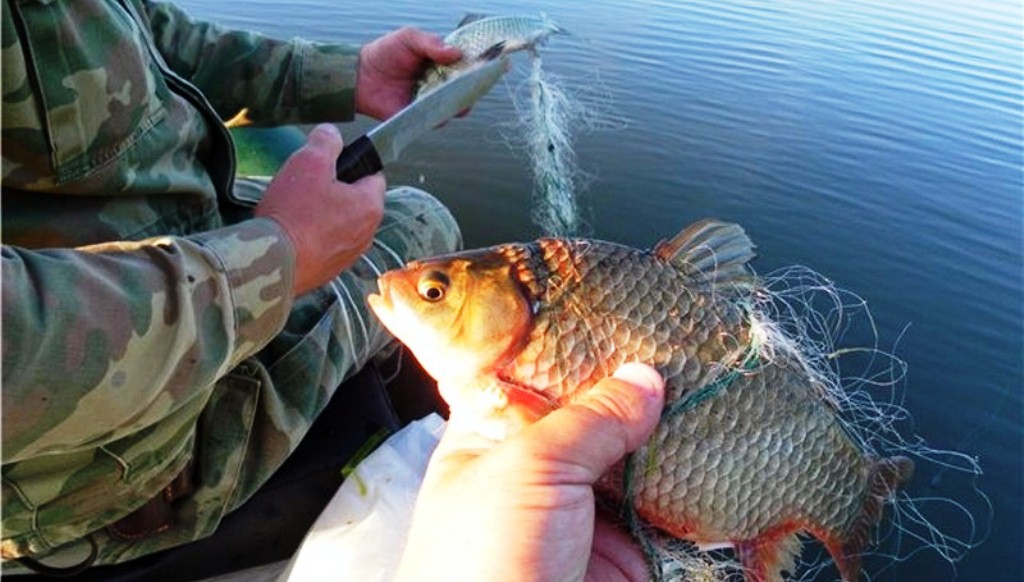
(524, 510)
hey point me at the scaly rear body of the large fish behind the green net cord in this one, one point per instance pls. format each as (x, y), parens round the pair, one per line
(795, 489)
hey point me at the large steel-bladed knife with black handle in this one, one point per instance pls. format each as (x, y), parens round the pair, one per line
(383, 144)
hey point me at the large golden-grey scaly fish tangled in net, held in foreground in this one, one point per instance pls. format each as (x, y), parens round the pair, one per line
(748, 452)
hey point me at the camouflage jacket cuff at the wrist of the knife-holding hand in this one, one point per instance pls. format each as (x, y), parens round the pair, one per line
(259, 262)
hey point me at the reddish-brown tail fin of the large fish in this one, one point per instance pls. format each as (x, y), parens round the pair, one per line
(887, 476)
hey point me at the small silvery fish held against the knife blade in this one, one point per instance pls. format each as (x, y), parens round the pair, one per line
(485, 38)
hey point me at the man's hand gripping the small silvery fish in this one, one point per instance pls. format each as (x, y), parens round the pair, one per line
(391, 66)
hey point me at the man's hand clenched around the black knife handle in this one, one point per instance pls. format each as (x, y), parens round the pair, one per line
(330, 223)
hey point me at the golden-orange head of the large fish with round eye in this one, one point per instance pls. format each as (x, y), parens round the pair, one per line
(461, 315)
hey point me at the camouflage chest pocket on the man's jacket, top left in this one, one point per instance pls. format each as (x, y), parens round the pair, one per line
(99, 88)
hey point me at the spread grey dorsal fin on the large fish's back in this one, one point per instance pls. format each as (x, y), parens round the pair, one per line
(710, 252)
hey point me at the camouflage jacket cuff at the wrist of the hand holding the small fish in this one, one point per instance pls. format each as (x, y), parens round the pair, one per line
(327, 81)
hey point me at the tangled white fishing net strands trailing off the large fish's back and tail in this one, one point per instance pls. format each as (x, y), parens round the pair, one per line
(836, 335)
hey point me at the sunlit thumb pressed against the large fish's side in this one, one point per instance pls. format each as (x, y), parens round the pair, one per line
(614, 419)
